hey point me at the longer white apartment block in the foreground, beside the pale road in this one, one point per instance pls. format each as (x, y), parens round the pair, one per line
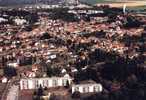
(34, 83)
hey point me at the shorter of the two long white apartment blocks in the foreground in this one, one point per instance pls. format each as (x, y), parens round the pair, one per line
(87, 88)
